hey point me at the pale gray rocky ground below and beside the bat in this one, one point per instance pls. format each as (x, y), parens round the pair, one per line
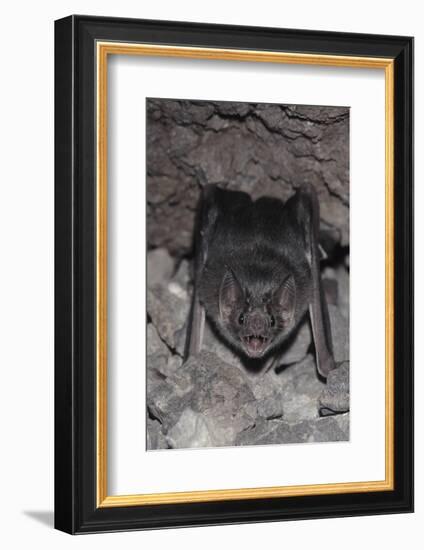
(214, 399)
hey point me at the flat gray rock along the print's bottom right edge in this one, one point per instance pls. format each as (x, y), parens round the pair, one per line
(274, 432)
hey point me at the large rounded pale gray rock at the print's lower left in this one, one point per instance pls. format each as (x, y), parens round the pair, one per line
(205, 385)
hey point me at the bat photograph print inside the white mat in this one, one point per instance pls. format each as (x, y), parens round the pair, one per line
(247, 239)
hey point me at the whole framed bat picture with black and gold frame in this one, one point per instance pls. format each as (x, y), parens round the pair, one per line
(233, 265)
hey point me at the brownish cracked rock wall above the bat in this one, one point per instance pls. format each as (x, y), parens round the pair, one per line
(263, 149)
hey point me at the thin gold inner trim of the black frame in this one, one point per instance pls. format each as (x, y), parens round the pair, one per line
(103, 50)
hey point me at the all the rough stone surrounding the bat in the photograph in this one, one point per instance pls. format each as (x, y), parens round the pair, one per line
(218, 399)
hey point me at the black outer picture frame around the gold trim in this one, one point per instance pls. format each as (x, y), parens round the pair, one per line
(76, 509)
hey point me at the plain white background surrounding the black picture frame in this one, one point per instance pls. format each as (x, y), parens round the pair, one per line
(26, 274)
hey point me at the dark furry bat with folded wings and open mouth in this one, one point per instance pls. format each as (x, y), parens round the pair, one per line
(257, 273)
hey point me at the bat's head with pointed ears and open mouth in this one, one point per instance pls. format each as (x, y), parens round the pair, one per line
(256, 319)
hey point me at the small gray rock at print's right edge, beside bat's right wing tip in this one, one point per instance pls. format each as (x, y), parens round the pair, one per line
(335, 396)
